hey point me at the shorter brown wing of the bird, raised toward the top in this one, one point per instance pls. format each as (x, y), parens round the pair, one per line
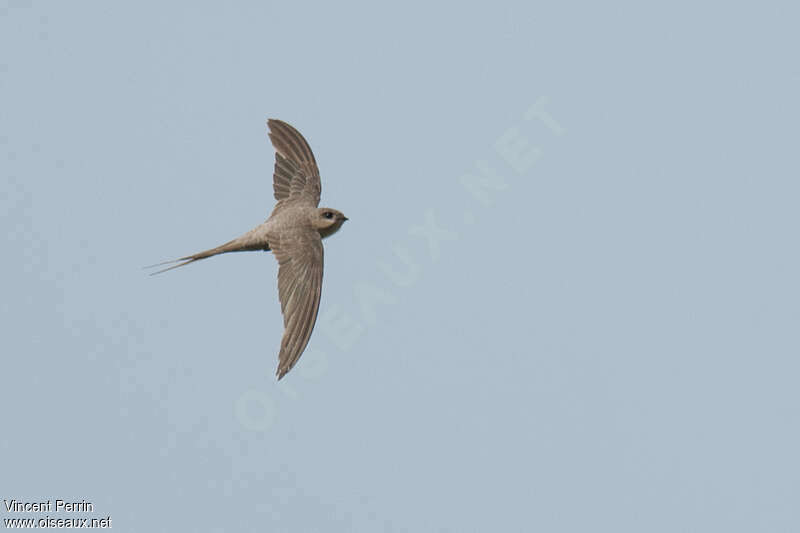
(296, 173)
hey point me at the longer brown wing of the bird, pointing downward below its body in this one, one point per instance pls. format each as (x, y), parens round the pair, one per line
(300, 260)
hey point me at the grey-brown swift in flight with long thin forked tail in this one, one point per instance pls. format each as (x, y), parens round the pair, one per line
(293, 233)
